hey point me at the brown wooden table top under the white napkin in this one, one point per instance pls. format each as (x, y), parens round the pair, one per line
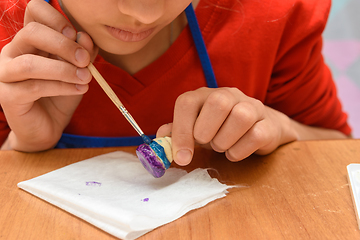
(298, 192)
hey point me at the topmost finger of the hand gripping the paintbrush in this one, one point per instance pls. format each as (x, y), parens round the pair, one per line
(42, 12)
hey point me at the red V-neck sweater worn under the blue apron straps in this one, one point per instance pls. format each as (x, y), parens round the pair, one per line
(270, 50)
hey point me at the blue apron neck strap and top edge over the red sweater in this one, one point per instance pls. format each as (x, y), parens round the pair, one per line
(76, 141)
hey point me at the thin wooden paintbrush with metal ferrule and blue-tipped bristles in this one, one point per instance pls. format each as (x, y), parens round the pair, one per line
(111, 94)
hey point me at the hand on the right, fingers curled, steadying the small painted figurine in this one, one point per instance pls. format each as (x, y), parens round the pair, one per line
(229, 121)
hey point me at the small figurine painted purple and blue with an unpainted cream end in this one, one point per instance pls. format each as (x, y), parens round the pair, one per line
(156, 157)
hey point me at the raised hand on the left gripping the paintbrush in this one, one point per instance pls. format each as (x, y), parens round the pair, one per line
(43, 76)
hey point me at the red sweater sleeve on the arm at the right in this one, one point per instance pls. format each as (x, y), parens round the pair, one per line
(302, 86)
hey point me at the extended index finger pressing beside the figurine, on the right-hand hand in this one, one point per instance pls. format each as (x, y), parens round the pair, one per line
(187, 108)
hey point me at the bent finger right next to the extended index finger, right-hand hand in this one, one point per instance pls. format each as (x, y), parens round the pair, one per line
(214, 112)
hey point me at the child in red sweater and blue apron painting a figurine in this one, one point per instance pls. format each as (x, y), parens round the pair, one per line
(266, 83)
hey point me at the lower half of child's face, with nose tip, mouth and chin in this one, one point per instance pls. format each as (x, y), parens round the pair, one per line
(123, 26)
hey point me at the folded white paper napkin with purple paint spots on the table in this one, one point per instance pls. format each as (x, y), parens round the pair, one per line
(115, 193)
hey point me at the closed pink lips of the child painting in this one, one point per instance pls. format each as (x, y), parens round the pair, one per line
(129, 36)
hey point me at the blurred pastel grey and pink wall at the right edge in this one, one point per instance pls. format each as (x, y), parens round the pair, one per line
(342, 54)
